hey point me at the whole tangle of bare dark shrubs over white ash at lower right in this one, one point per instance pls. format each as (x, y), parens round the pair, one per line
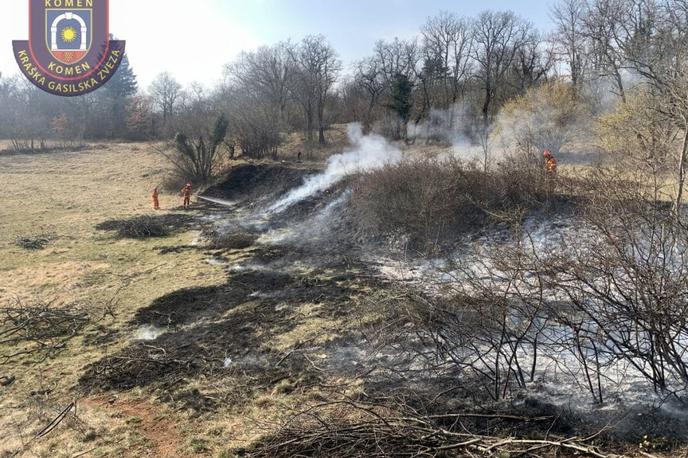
(605, 298)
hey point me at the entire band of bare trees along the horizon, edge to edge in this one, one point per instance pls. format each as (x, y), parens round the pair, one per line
(457, 74)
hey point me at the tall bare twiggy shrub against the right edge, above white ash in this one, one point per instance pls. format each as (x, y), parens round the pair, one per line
(628, 283)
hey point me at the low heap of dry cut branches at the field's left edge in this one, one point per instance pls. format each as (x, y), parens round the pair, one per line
(39, 331)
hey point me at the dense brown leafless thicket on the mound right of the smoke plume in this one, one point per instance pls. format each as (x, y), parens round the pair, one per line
(430, 201)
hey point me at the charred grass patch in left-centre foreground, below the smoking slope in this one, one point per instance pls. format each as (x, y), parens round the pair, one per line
(248, 332)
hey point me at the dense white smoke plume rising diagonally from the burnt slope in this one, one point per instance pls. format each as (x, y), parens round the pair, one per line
(369, 152)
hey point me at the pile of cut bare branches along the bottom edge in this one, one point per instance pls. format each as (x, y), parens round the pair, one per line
(345, 428)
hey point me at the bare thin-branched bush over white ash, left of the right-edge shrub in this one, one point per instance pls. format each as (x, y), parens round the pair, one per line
(486, 326)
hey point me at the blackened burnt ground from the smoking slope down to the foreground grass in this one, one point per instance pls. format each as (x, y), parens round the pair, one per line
(260, 300)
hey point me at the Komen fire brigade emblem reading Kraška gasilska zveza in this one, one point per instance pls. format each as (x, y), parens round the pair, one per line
(69, 51)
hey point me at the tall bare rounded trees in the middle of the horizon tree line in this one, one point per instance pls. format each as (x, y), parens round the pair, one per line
(479, 63)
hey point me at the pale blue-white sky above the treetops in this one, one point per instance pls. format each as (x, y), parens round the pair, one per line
(193, 39)
